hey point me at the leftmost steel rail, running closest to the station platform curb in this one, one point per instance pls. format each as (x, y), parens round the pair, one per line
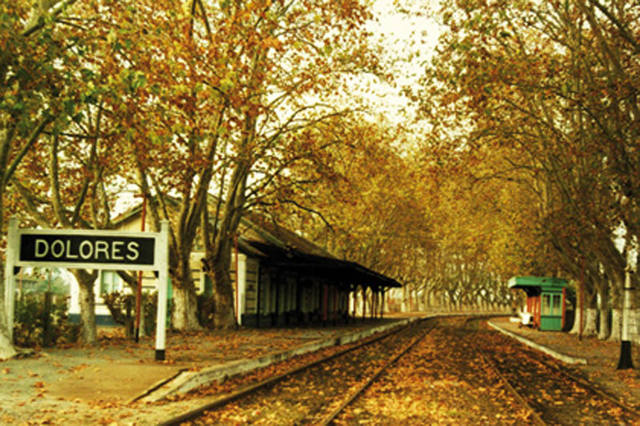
(249, 389)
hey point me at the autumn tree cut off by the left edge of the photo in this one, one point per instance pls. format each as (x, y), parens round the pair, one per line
(34, 47)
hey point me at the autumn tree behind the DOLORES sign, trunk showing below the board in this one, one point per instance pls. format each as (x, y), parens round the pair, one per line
(69, 178)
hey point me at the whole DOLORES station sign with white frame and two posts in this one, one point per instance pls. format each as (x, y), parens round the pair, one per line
(90, 249)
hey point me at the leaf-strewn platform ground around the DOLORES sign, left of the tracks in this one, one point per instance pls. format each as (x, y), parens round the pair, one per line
(81, 385)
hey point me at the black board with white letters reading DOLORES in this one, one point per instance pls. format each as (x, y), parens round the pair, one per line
(87, 249)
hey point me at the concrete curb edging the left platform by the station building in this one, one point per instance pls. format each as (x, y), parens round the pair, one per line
(188, 380)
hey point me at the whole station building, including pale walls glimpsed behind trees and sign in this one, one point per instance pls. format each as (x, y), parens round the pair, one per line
(279, 279)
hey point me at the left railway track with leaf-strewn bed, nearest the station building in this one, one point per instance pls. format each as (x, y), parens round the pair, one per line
(345, 375)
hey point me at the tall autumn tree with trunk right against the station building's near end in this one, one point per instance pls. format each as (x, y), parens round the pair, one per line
(298, 53)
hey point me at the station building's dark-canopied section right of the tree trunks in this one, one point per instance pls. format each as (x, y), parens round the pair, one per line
(284, 279)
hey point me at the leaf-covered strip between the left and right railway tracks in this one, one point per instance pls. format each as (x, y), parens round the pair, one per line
(439, 382)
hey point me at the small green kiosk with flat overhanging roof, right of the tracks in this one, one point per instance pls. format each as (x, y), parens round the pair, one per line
(546, 300)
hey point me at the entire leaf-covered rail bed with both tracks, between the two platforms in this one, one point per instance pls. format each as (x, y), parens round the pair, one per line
(436, 371)
